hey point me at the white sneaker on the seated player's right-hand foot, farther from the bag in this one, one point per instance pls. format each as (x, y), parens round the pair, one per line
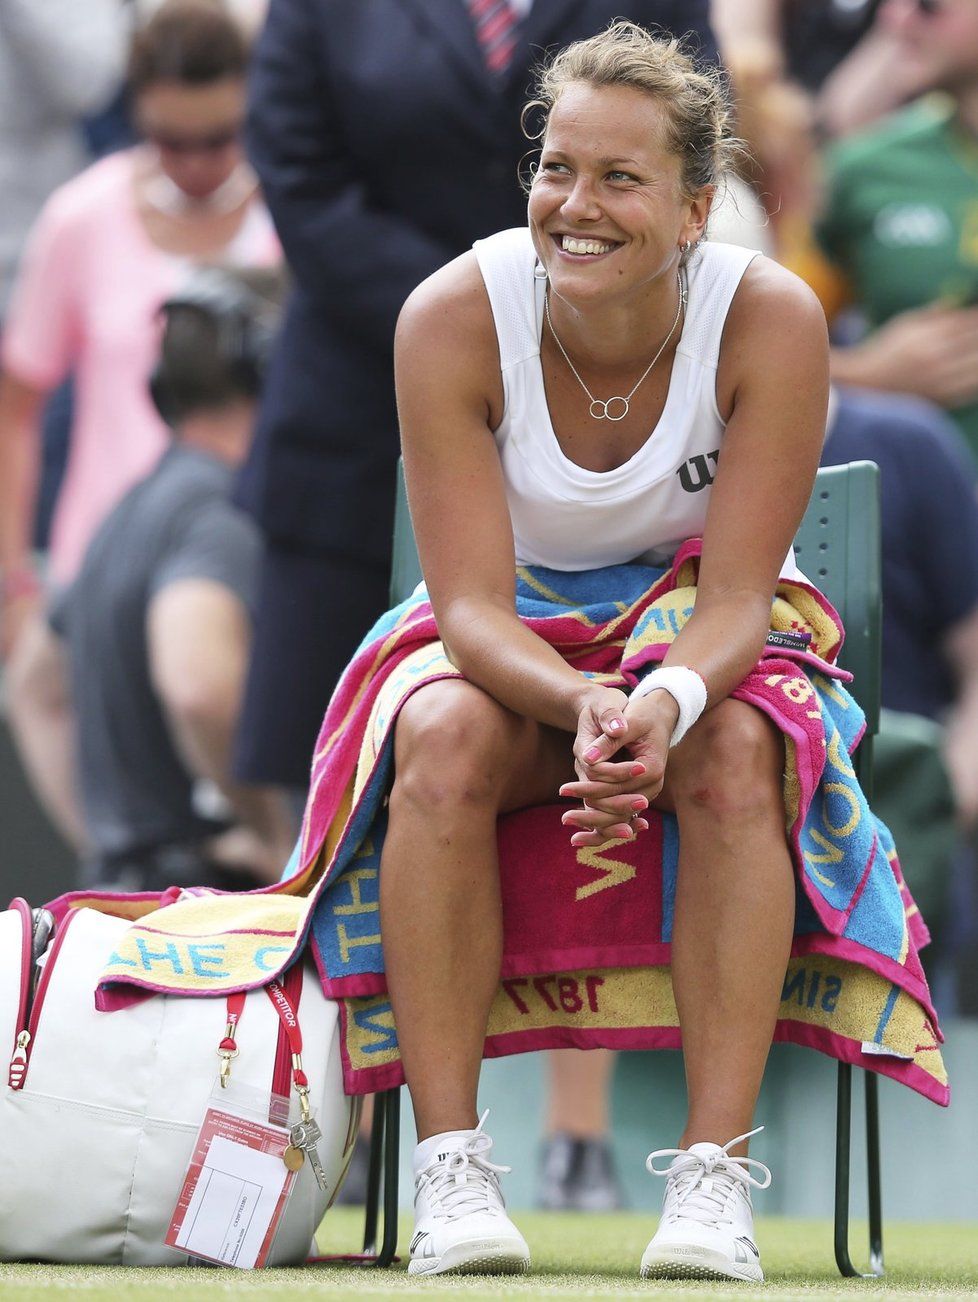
(708, 1225)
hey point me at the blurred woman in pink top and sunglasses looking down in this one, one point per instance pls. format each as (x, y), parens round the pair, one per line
(107, 251)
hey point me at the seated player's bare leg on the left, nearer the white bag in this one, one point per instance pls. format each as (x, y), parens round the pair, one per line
(460, 760)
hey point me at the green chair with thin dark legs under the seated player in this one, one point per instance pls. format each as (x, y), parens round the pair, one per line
(838, 547)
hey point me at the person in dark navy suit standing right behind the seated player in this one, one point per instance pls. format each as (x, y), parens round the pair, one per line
(386, 146)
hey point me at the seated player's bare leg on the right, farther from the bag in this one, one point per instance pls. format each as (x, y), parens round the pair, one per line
(735, 913)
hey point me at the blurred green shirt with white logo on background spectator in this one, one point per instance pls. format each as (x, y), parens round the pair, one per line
(902, 218)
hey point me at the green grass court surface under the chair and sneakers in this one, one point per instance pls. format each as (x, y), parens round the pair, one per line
(575, 1257)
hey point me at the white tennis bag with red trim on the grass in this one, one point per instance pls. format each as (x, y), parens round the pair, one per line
(100, 1113)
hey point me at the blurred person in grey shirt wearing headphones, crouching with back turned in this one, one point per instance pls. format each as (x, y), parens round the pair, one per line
(156, 631)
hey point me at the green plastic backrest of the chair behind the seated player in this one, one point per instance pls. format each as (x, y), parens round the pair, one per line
(838, 547)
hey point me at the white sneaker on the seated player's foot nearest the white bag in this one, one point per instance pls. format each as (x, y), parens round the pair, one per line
(460, 1219)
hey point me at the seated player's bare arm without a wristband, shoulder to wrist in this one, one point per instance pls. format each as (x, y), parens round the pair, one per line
(449, 399)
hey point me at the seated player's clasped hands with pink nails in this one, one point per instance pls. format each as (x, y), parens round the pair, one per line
(617, 792)
